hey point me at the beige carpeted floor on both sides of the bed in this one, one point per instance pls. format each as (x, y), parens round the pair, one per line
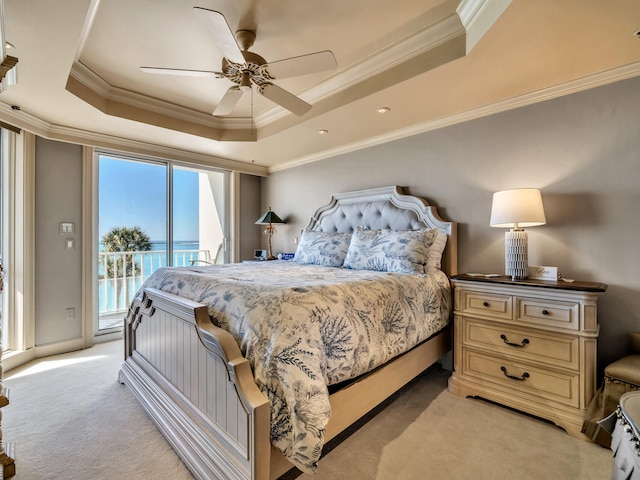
(70, 419)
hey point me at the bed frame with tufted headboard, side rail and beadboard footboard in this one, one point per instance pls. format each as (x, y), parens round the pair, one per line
(192, 380)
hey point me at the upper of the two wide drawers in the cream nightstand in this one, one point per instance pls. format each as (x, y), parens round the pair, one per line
(536, 346)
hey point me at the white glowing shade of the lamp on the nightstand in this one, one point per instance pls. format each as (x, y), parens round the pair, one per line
(521, 207)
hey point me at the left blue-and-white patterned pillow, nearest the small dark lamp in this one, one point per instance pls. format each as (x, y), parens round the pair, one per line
(322, 248)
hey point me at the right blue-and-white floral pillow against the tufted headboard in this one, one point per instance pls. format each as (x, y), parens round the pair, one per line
(399, 251)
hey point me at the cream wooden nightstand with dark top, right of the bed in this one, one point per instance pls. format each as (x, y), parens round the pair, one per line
(527, 344)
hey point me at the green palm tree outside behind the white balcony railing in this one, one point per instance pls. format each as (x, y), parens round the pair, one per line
(124, 239)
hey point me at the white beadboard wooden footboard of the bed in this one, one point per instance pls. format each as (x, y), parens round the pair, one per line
(194, 383)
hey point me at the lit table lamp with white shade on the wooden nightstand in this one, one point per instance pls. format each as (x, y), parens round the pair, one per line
(514, 209)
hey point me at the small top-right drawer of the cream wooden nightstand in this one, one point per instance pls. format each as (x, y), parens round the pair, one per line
(550, 313)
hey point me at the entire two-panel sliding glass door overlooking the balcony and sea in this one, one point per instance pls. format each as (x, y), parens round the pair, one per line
(153, 214)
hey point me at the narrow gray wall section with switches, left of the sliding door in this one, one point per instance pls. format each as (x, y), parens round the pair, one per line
(58, 270)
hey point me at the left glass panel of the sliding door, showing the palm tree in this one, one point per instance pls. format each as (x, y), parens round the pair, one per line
(132, 229)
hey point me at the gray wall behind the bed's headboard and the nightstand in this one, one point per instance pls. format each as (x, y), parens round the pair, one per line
(581, 150)
